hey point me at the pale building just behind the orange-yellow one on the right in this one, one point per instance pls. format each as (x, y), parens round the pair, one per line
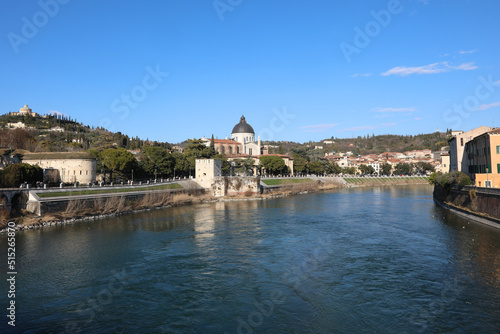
(458, 159)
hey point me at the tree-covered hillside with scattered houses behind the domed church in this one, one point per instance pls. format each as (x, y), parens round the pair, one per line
(51, 133)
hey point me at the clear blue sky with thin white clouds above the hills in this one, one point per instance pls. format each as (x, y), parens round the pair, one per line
(298, 70)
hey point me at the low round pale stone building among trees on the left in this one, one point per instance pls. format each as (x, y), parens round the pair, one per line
(67, 167)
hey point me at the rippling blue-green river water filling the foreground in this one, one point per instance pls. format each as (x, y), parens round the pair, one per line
(364, 260)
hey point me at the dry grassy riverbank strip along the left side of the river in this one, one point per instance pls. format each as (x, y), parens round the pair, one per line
(77, 211)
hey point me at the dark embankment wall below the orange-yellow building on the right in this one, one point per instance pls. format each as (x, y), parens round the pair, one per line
(478, 200)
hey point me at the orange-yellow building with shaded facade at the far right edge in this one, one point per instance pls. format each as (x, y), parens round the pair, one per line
(483, 157)
